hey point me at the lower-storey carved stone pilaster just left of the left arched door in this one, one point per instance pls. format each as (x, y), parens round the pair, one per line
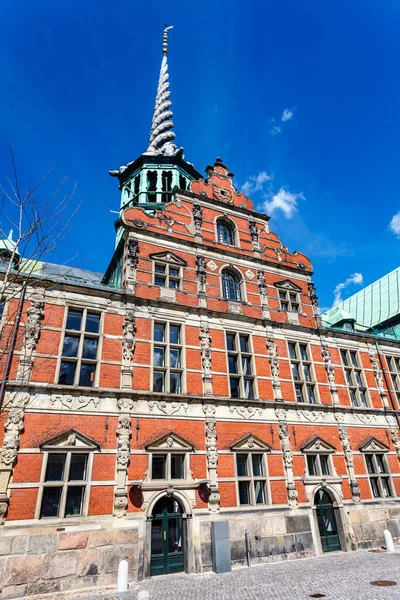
(123, 457)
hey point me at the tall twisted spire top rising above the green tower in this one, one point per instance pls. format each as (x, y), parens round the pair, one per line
(161, 134)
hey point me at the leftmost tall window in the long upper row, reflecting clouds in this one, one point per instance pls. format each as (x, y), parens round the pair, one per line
(80, 348)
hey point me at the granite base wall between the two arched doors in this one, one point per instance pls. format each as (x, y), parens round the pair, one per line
(272, 538)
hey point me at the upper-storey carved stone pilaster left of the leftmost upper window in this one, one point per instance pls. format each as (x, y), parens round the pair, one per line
(32, 333)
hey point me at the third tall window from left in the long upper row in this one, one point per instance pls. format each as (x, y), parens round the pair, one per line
(240, 367)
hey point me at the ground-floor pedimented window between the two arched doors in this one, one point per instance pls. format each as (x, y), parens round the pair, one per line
(251, 474)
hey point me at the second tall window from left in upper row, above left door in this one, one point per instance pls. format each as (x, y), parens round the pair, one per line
(167, 358)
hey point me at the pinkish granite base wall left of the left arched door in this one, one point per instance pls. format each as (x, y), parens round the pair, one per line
(49, 563)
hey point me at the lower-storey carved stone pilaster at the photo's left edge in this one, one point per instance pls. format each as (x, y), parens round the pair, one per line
(13, 427)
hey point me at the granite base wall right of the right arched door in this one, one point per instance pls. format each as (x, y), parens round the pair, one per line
(369, 522)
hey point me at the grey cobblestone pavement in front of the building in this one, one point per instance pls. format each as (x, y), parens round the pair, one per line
(341, 576)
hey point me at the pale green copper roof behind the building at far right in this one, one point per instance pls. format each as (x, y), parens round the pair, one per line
(373, 305)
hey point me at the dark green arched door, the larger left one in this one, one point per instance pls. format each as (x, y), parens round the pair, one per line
(167, 537)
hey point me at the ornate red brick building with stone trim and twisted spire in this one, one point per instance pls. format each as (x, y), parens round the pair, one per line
(192, 382)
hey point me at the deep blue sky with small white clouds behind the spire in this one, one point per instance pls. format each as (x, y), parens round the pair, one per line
(78, 88)
